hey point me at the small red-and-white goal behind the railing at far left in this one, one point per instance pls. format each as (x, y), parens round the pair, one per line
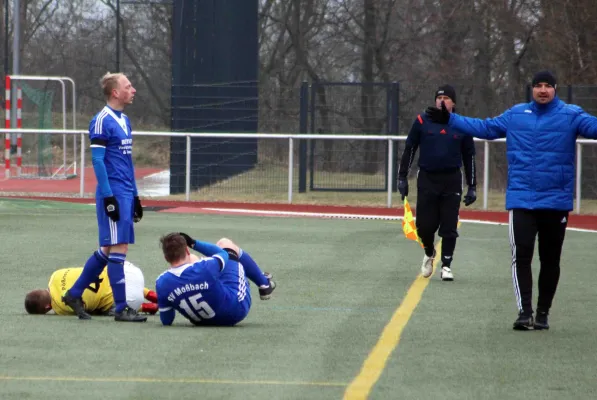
(42, 158)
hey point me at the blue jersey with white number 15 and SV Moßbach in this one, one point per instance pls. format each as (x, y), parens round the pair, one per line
(204, 292)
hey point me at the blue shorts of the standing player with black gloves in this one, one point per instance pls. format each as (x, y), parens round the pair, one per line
(121, 232)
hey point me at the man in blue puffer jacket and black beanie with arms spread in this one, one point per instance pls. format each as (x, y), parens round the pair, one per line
(540, 138)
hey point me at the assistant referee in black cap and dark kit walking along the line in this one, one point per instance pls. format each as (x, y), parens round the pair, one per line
(444, 151)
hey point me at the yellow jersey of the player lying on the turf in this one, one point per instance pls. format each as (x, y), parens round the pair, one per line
(97, 296)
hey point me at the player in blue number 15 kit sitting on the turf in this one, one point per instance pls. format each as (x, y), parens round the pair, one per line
(212, 290)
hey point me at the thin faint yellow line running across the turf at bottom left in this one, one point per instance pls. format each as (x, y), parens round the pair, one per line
(166, 380)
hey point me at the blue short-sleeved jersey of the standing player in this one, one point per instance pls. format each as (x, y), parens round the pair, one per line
(113, 129)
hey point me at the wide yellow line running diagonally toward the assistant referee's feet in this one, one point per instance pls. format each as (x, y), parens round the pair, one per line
(375, 363)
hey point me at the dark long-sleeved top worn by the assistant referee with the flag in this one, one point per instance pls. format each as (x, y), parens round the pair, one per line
(442, 149)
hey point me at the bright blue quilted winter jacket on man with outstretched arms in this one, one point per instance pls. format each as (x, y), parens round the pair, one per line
(541, 150)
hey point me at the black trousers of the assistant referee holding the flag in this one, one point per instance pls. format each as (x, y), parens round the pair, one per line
(438, 205)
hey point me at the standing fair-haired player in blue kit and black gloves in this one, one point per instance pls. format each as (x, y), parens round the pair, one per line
(117, 201)
